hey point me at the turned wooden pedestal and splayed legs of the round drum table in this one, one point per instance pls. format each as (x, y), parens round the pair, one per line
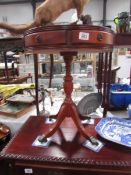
(68, 108)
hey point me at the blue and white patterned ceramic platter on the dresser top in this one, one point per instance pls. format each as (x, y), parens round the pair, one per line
(117, 130)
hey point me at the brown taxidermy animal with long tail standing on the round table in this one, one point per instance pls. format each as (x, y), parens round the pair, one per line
(46, 13)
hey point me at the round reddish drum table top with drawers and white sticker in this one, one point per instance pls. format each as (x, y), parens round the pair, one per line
(68, 38)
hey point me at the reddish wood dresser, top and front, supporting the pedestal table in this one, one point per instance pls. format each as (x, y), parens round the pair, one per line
(65, 155)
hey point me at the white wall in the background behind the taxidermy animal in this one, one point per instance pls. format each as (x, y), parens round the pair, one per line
(22, 13)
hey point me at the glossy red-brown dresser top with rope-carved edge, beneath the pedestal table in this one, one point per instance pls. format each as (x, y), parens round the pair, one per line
(66, 147)
